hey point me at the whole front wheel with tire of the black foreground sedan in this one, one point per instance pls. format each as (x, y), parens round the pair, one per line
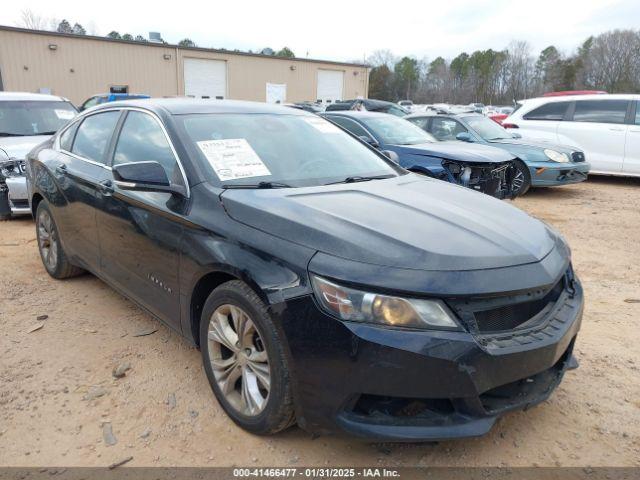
(244, 360)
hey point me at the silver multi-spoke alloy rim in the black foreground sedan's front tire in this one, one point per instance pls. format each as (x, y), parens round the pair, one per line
(239, 360)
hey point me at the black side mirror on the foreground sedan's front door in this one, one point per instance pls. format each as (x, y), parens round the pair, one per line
(144, 176)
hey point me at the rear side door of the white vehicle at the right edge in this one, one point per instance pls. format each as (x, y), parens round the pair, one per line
(598, 127)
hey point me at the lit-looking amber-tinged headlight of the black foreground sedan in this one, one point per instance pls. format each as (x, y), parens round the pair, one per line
(359, 306)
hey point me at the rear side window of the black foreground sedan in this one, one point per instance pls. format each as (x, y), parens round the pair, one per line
(94, 135)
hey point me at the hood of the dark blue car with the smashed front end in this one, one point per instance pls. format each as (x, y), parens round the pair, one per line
(466, 152)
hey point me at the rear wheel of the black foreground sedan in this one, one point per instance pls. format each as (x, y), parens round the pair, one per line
(53, 257)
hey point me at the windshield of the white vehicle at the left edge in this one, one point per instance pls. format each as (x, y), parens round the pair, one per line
(26, 118)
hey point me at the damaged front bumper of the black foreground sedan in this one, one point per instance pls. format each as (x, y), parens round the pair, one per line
(408, 385)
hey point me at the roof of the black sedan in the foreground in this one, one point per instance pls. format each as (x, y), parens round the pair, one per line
(185, 106)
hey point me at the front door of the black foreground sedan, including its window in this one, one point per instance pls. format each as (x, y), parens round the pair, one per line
(140, 231)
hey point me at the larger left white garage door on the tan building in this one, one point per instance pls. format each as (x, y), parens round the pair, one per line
(205, 78)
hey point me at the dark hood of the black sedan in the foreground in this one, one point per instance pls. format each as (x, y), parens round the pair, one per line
(410, 222)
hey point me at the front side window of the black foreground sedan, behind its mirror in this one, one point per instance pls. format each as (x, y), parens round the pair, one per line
(142, 140)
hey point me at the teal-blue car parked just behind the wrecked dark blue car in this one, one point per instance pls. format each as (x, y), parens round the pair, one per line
(541, 163)
